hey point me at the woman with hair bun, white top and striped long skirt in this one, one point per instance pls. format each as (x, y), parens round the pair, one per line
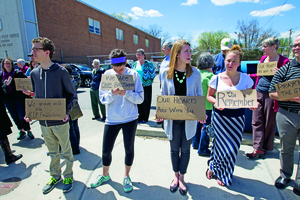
(228, 123)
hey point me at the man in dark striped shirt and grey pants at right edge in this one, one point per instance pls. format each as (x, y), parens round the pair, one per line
(288, 121)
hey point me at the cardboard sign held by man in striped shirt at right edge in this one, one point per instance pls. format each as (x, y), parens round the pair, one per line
(289, 89)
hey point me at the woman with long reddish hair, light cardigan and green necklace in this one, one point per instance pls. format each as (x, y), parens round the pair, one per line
(180, 79)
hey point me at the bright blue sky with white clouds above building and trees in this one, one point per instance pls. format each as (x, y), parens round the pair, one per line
(192, 17)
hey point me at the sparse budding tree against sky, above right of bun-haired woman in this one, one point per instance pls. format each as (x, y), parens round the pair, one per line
(251, 34)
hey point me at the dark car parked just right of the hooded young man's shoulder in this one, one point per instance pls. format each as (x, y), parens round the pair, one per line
(85, 73)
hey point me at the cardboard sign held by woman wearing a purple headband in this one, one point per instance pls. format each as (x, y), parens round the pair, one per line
(110, 82)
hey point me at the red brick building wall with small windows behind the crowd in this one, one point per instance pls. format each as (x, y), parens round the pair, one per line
(65, 22)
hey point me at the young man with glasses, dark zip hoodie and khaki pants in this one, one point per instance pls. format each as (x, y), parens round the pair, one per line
(50, 80)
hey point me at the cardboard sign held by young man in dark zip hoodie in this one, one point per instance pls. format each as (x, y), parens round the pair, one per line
(45, 109)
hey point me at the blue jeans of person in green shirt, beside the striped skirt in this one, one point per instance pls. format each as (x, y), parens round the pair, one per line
(201, 138)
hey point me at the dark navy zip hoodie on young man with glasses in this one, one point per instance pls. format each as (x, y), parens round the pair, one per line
(54, 82)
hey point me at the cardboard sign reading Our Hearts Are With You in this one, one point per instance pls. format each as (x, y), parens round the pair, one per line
(180, 107)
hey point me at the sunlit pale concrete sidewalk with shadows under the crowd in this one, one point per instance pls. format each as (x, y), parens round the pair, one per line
(151, 171)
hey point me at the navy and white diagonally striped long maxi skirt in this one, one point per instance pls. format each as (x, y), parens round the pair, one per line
(229, 126)
